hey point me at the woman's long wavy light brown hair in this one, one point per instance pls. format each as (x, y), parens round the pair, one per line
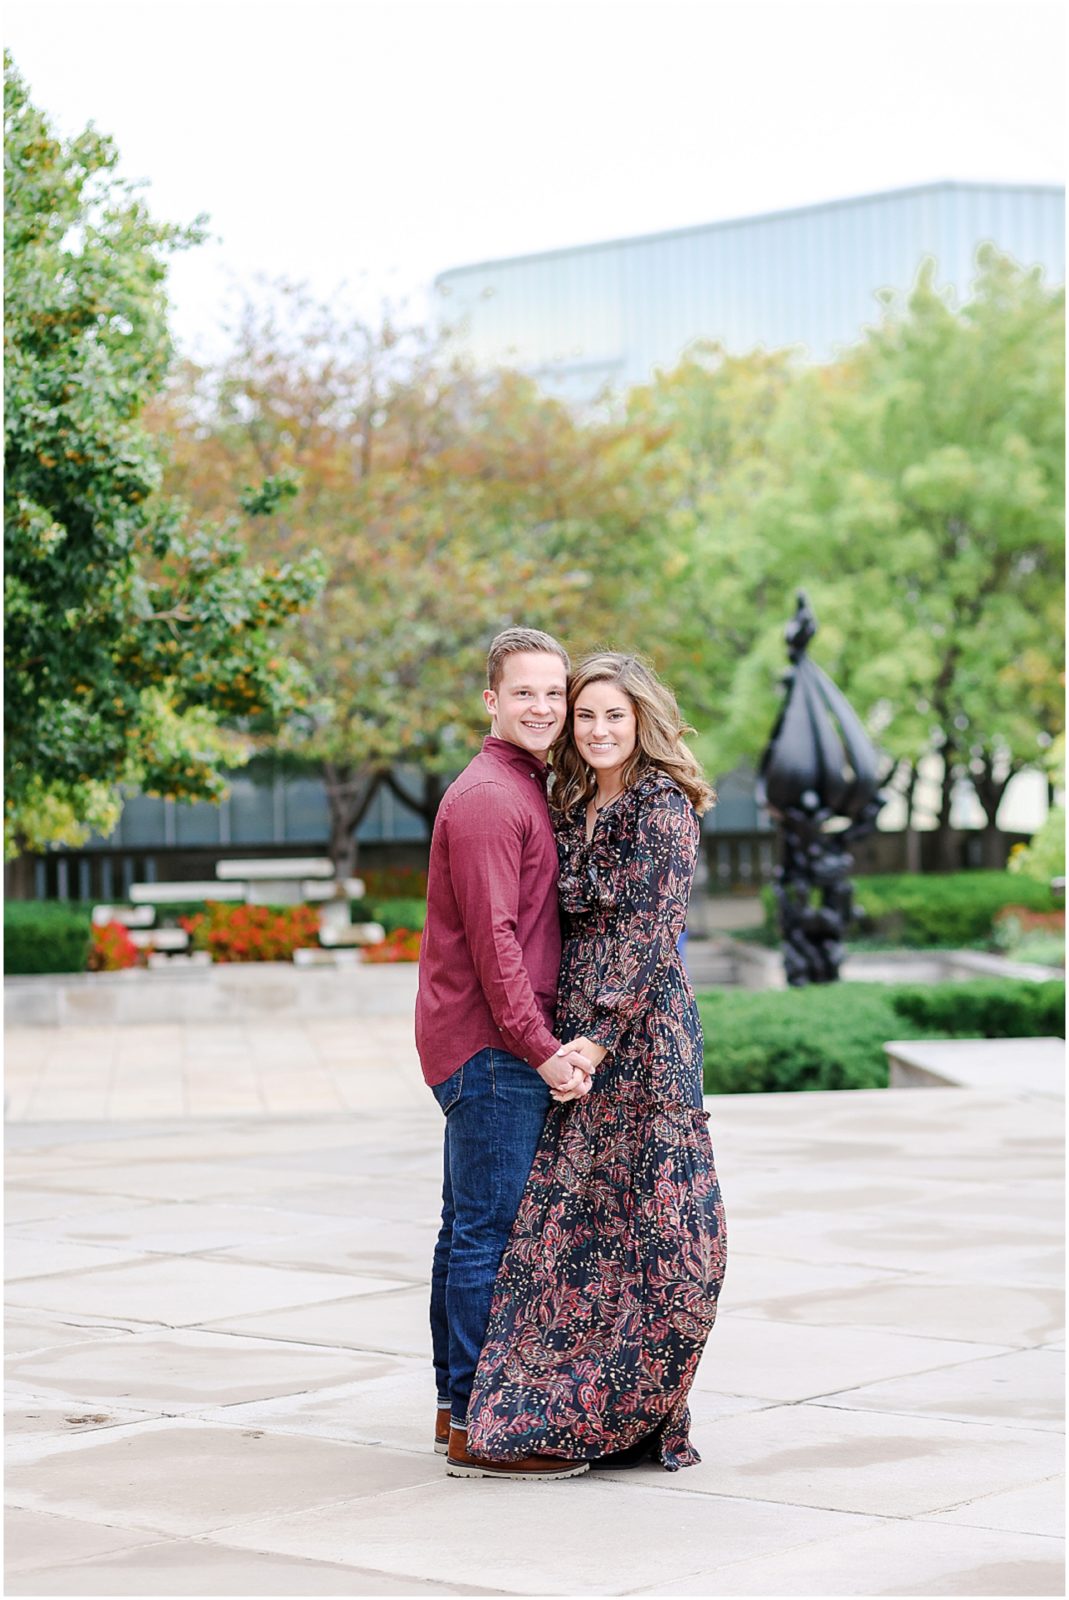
(660, 735)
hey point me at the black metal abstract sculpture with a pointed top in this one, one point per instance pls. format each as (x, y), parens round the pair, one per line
(820, 777)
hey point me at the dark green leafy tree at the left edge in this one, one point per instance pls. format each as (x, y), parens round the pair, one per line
(137, 644)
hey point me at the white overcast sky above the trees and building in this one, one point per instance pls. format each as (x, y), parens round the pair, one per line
(375, 145)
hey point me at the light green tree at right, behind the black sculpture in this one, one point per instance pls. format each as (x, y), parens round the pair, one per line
(916, 489)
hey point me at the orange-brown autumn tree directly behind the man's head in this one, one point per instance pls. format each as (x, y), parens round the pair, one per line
(450, 505)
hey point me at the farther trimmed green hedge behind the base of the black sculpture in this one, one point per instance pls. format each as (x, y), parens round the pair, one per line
(929, 911)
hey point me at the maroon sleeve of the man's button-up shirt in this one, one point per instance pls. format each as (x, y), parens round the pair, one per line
(486, 868)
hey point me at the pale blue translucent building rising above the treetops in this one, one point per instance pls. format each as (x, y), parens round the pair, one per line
(609, 314)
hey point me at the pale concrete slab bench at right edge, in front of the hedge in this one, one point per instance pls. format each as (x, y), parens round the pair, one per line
(1028, 1065)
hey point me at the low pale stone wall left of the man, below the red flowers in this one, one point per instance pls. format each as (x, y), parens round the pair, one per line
(209, 994)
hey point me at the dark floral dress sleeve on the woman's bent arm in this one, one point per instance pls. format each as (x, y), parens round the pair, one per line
(655, 895)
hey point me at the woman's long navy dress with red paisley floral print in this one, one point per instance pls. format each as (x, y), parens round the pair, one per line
(609, 1287)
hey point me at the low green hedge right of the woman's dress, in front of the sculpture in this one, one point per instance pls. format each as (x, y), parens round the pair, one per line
(833, 1036)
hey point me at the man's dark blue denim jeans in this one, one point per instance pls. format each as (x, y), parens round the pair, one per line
(495, 1108)
